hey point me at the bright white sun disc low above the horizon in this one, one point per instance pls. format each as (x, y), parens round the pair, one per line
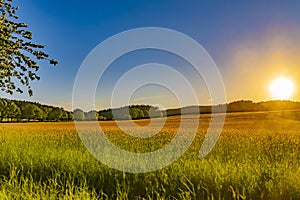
(282, 88)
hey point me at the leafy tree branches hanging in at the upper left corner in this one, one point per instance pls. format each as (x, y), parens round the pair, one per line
(18, 54)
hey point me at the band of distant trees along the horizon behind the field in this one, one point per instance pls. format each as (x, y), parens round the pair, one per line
(20, 111)
